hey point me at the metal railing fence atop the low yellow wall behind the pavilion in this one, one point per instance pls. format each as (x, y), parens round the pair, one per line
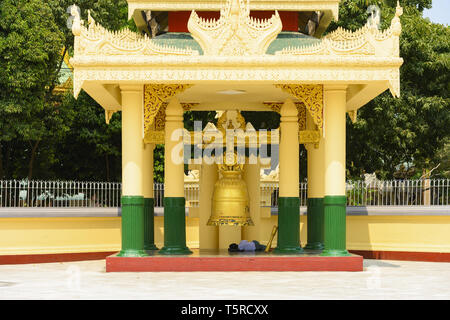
(24, 193)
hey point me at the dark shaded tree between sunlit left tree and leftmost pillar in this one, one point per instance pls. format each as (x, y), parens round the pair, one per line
(92, 149)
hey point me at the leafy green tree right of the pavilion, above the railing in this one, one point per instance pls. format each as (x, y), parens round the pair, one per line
(408, 131)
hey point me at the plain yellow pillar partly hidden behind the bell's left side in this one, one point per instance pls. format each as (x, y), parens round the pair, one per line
(209, 235)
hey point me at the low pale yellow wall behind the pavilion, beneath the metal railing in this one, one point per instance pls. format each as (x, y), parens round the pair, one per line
(69, 235)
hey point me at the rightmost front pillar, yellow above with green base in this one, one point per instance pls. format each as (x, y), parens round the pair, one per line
(335, 200)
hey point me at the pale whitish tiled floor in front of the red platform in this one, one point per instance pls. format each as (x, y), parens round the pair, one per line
(88, 280)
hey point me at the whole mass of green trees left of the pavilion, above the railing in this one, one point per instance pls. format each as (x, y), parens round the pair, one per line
(34, 120)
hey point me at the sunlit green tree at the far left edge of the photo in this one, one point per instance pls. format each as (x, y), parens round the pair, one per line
(30, 44)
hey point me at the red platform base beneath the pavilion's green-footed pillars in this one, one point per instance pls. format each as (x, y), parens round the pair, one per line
(212, 260)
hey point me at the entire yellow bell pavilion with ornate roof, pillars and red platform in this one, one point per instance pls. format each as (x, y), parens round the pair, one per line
(233, 56)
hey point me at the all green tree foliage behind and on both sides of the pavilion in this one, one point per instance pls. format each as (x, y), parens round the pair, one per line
(48, 136)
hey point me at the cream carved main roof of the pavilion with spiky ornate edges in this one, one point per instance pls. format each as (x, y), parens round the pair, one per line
(240, 52)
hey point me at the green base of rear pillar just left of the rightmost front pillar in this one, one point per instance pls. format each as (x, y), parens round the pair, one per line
(314, 224)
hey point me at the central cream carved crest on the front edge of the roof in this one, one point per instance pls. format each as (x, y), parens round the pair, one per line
(235, 33)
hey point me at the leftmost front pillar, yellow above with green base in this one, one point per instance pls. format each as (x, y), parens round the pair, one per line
(132, 170)
